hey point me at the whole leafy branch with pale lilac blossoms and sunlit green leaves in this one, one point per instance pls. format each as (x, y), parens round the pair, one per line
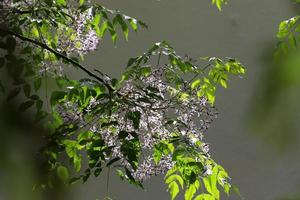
(151, 121)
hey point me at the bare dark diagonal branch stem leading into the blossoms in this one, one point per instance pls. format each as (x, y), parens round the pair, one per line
(60, 55)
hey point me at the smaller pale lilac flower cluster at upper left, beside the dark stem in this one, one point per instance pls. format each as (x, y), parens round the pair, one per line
(76, 36)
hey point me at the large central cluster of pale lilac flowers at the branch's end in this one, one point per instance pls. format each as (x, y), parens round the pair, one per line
(153, 115)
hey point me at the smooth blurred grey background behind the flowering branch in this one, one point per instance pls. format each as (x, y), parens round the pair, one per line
(262, 160)
